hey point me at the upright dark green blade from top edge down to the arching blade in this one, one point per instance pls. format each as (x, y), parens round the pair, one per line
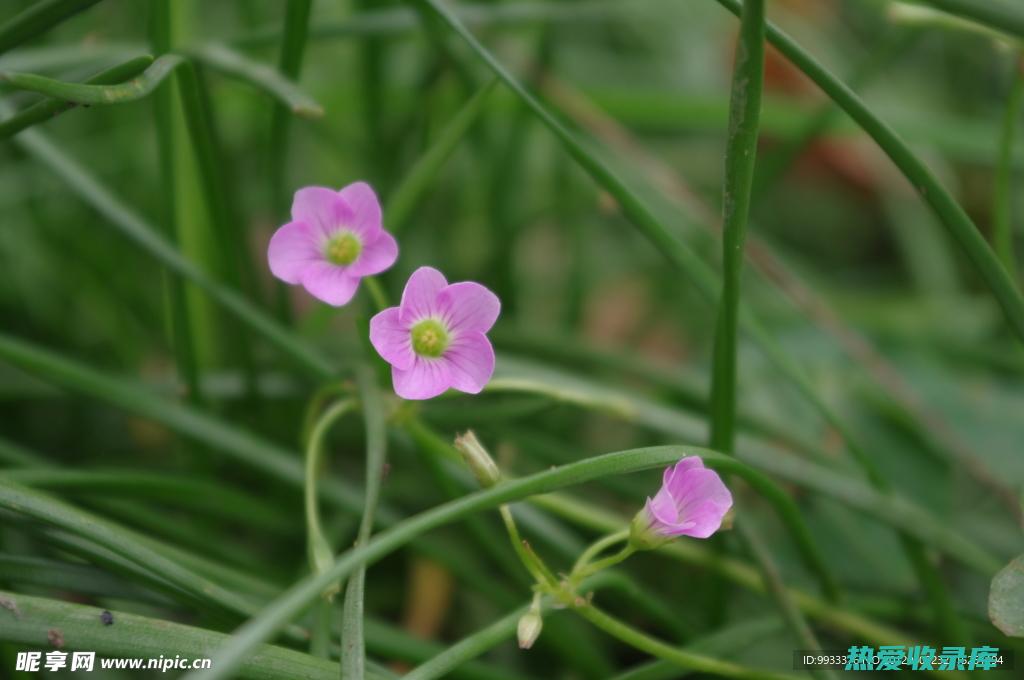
(741, 155)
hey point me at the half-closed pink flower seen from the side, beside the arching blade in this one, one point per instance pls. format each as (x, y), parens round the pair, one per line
(693, 501)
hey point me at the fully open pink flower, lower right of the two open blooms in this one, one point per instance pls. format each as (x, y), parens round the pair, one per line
(436, 338)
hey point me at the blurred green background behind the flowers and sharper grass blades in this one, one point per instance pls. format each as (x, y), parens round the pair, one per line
(849, 272)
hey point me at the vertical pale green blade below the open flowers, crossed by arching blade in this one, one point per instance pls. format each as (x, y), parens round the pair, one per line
(353, 644)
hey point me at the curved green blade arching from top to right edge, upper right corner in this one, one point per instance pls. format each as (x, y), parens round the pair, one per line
(946, 208)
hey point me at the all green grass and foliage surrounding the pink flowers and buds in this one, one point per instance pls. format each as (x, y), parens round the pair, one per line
(158, 389)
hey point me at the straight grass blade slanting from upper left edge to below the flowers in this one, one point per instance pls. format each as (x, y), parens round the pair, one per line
(134, 227)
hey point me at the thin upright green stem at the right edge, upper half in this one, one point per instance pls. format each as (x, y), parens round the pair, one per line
(1003, 216)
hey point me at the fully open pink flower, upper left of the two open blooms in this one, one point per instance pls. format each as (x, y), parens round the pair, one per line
(334, 240)
